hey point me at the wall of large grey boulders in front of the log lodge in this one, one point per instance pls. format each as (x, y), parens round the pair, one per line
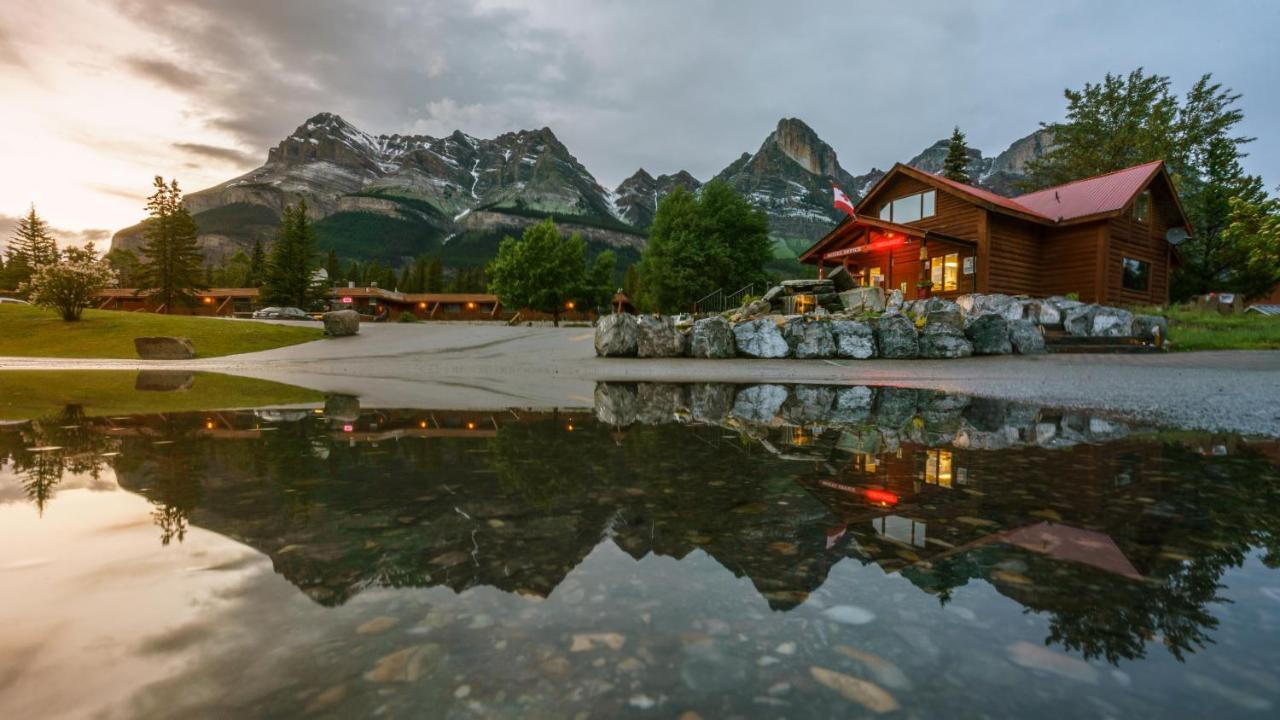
(868, 325)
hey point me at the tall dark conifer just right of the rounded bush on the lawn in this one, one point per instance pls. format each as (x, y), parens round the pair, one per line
(172, 271)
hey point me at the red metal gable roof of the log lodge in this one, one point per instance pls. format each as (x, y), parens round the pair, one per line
(1086, 198)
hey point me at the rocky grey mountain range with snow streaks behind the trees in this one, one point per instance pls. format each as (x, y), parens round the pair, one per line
(395, 198)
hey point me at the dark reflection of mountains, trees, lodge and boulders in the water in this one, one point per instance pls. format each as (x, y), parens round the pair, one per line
(1119, 537)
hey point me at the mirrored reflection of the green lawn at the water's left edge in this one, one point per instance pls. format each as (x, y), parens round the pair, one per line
(36, 394)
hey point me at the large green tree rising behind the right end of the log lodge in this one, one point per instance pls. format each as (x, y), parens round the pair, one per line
(1130, 120)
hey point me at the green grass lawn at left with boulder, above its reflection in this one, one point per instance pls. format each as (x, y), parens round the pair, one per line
(38, 332)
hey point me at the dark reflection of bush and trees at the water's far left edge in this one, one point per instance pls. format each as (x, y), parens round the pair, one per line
(72, 448)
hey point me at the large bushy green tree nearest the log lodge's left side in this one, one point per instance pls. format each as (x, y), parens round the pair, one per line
(698, 245)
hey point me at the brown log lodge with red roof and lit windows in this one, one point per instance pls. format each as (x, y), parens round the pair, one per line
(1109, 239)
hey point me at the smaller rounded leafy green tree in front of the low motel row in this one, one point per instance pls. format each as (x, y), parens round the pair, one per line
(546, 272)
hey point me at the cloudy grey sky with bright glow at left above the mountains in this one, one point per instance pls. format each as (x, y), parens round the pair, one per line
(98, 97)
